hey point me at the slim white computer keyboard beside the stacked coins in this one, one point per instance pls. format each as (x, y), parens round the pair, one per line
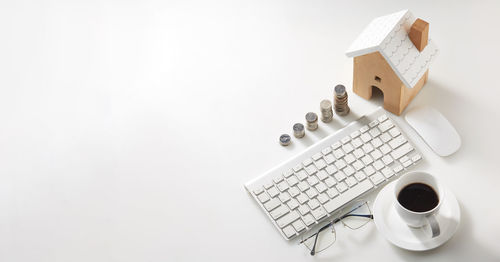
(330, 174)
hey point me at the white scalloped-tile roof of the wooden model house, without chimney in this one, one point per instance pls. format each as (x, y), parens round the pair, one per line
(389, 36)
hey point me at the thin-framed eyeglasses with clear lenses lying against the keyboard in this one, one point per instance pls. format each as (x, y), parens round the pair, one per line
(355, 216)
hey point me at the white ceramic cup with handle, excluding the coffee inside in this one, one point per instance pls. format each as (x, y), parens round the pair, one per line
(419, 219)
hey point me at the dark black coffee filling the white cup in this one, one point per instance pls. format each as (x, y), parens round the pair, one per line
(418, 197)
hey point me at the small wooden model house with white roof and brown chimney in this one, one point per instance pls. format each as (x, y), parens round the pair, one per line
(392, 54)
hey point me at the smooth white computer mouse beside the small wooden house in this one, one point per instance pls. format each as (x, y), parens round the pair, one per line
(435, 130)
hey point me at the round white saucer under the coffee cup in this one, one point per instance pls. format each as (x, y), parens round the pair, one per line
(397, 232)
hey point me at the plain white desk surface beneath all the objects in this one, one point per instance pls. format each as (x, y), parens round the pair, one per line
(128, 128)
